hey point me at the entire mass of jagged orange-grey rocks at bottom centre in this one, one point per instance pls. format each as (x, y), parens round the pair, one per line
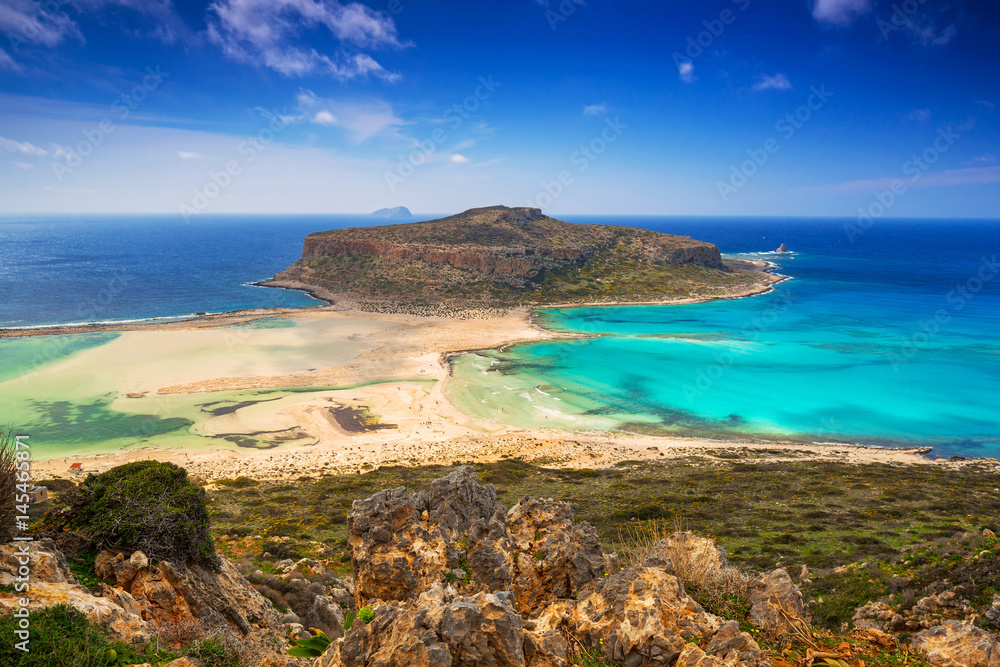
(453, 578)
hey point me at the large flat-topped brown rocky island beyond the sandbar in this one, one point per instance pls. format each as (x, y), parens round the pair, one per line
(507, 257)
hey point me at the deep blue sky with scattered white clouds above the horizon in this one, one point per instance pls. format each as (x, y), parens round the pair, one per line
(725, 107)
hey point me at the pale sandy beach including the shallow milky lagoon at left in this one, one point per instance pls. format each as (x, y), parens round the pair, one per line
(387, 371)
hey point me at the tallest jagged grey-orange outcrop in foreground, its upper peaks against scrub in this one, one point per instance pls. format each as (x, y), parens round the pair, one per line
(404, 544)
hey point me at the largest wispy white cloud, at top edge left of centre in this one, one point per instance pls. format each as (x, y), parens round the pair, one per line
(265, 33)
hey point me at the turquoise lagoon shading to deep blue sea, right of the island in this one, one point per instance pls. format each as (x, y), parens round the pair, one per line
(893, 343)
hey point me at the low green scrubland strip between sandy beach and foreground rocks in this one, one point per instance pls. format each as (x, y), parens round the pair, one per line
(765, 513)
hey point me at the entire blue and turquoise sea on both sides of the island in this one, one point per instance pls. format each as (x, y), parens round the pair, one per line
(883, 334)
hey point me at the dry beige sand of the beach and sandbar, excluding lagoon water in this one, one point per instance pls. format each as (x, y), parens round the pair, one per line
(402, 355)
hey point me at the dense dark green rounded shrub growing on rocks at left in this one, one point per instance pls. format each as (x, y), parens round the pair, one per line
(148, 506)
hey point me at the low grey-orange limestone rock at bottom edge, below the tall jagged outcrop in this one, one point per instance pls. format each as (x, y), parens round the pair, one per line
(438, 628)
